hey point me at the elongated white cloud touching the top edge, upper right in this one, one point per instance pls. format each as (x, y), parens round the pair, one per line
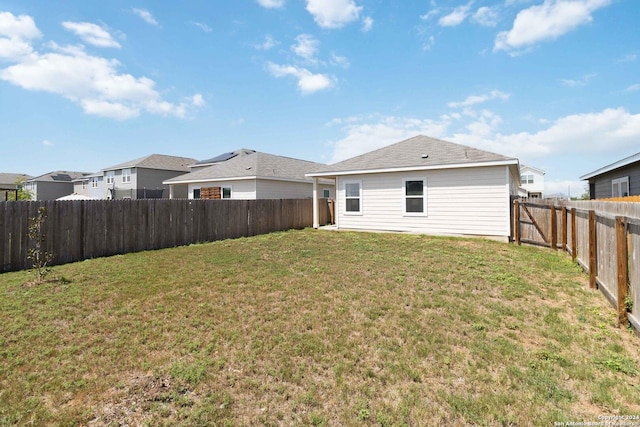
(546, 21)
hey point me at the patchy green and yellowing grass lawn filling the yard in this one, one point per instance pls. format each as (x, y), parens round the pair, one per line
(315, 328)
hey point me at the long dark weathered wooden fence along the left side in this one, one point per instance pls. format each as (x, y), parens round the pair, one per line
(84, 229)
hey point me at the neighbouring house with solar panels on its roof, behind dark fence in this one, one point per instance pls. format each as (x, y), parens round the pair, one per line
(248, 175)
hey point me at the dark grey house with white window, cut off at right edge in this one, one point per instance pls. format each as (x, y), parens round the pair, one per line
(619, 179)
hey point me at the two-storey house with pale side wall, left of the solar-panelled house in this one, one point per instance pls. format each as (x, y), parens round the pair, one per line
(143, 178)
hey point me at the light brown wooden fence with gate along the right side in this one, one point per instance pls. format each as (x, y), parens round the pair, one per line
(603, 237)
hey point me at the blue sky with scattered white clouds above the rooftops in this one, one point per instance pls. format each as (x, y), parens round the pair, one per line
(86, 84)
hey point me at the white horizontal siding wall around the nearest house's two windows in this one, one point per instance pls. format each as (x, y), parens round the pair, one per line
(471, 201)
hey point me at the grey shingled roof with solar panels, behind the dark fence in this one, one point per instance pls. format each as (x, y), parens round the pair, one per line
(251, 165)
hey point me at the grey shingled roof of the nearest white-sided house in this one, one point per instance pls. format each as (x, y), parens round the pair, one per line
(419, 152)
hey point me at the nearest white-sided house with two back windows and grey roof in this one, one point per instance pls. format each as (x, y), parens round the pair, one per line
(425, 185)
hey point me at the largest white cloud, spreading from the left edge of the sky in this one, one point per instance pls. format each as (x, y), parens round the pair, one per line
(92, 82)
